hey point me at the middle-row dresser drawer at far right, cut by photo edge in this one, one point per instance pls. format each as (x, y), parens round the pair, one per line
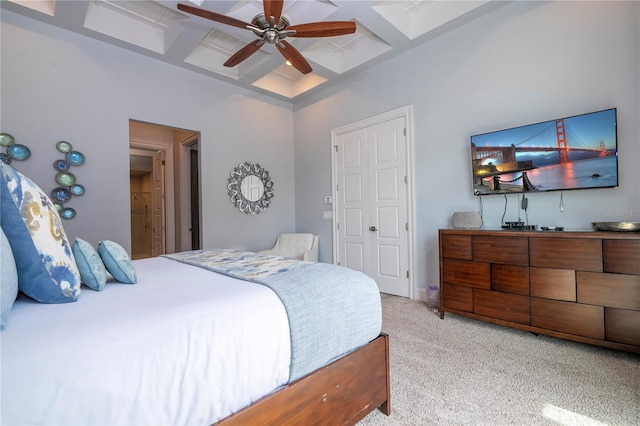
(612, 290)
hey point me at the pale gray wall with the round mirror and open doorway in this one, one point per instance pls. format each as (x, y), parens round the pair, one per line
(57, 85)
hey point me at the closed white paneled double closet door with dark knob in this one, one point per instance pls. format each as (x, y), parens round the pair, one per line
(372, 209)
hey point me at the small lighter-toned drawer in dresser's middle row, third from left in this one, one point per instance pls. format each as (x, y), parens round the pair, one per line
(558, 284)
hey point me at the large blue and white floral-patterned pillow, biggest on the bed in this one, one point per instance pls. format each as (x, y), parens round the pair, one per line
(47, 270)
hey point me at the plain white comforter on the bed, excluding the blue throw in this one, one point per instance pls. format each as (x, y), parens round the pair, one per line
(183, 346)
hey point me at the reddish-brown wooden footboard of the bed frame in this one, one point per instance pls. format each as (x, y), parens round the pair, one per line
(343, 392)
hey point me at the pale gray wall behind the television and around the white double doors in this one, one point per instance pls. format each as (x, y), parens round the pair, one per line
(524, 63)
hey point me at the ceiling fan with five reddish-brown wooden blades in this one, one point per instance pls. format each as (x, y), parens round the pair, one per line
(271, 27)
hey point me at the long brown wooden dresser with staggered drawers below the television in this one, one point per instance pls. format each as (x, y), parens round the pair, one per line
(582, 286)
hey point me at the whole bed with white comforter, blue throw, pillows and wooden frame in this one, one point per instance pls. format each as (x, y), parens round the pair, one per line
(204, 337)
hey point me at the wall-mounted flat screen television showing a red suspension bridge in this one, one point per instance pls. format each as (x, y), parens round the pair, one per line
(577, 152)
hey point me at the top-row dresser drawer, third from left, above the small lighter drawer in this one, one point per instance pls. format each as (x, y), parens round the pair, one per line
(566, 253)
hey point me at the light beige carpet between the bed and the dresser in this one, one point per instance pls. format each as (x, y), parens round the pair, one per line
(460, 371)
